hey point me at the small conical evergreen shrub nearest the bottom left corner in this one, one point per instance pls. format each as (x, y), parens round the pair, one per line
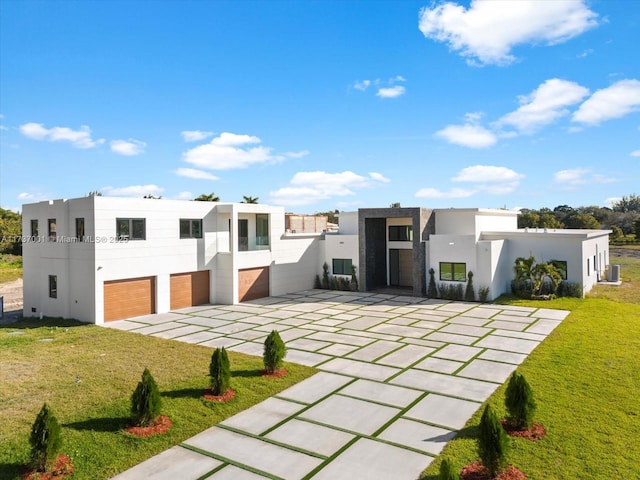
(45, 440)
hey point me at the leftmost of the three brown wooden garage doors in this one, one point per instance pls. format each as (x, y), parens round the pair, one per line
(129, 298)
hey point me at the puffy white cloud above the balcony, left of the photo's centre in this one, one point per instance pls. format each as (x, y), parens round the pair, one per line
(229, 151)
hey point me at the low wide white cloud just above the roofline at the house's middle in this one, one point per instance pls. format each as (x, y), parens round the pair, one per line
(306, 188)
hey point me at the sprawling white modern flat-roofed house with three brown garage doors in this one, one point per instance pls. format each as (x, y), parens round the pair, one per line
(98, 259)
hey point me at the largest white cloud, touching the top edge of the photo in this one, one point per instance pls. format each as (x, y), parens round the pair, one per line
(488, 31)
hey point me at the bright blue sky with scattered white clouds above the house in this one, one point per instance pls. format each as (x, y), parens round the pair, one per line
(318, 105)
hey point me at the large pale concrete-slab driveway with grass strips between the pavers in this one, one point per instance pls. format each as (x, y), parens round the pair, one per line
(398, 377)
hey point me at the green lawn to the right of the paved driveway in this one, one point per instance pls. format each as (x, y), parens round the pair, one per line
(586, 380)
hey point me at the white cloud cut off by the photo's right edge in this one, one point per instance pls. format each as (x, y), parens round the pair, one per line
(618, 100)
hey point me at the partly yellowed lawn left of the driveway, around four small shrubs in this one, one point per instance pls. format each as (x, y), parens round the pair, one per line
(87, 374)
